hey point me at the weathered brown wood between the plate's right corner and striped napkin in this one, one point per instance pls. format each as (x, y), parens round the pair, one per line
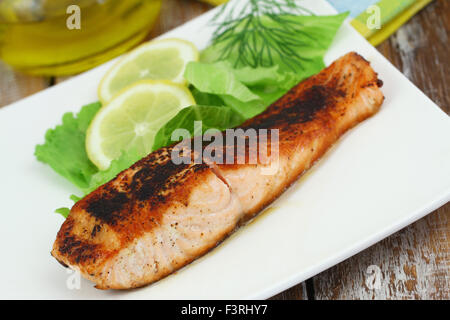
(420, 50)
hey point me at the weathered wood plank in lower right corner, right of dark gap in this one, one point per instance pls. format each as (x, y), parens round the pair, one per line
(411, 264)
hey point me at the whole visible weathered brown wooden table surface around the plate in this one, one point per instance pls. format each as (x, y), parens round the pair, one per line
(414, 263)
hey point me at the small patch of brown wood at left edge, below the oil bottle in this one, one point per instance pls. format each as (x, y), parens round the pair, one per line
(15, 86)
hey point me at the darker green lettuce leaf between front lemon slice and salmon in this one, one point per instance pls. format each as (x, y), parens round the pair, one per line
(212, 117)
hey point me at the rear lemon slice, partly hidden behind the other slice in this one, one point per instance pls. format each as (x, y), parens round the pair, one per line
(156, 60)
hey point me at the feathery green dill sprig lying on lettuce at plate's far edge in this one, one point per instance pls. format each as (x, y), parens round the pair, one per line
(260, 31)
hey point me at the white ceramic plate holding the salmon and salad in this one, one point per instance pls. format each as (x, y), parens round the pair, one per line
(388, 172)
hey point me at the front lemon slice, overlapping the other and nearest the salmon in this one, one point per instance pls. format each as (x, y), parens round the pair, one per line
(132, 119)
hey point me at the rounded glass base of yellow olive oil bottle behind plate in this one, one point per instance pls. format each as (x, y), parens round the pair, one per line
(62, 37)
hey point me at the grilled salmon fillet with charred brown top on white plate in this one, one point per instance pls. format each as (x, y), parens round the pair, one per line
(158, 216)
